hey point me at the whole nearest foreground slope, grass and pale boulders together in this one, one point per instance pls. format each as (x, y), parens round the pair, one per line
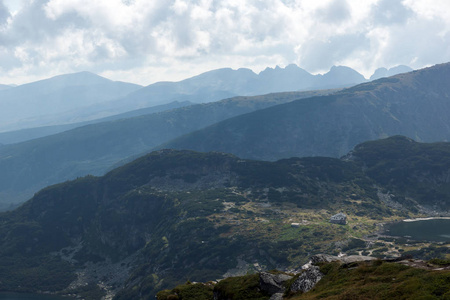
(324, 277)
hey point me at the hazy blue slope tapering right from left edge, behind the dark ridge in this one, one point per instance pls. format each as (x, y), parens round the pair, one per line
(92, 149)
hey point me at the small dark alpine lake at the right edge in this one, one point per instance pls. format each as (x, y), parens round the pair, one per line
(429, 230)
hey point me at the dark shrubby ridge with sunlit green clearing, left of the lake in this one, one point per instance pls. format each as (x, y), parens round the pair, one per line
(176, 215)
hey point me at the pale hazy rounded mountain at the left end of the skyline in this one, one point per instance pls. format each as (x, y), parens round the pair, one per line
(58, 100)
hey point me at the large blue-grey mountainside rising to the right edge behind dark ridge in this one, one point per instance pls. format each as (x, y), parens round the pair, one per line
(415, 104)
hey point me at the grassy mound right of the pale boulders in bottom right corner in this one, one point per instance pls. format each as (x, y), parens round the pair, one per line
(379, 280)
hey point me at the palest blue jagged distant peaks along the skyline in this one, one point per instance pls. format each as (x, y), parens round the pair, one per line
(223, 83)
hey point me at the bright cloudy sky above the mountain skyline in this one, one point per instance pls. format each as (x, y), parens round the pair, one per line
(145, 41)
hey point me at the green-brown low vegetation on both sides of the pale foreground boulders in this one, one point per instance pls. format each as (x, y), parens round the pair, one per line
(365, 280)
